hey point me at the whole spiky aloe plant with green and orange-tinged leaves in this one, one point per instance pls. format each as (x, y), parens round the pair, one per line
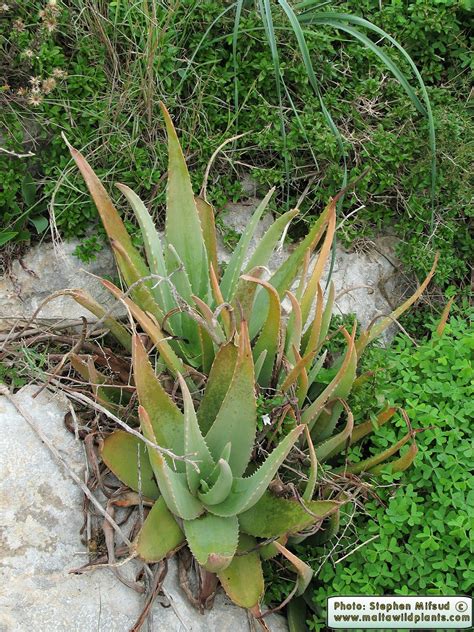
(215, 494)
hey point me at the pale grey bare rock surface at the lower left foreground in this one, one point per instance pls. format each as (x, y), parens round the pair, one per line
(41, 515)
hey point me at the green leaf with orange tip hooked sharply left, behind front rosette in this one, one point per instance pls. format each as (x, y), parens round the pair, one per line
(269, 338)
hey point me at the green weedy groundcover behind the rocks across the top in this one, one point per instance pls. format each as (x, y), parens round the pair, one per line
(96, 70)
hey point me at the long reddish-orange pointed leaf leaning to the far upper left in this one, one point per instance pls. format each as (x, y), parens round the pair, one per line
(113, 225)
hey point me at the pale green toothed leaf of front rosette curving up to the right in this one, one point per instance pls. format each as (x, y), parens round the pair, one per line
(247, 491)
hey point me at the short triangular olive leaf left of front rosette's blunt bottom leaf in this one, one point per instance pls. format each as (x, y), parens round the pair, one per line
(160, 535)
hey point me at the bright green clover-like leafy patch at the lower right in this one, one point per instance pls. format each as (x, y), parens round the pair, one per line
(421, 541)
